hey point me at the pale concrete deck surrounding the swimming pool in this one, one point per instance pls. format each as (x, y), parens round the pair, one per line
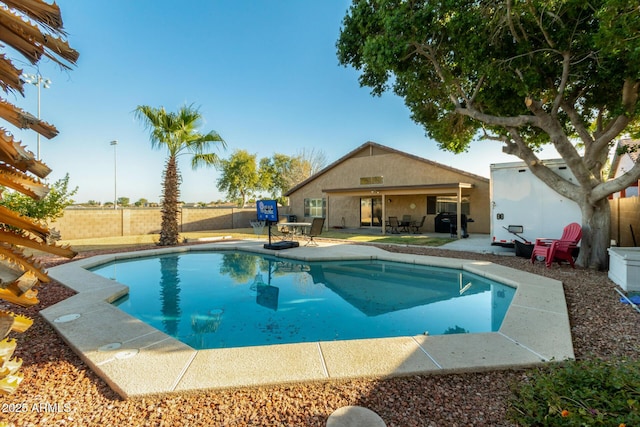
(136, 359)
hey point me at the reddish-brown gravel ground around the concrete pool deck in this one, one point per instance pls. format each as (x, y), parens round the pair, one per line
(59, 389)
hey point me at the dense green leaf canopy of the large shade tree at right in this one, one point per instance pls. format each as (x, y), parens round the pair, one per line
(443, 57)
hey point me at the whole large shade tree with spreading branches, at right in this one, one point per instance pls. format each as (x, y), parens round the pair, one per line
(523, 72)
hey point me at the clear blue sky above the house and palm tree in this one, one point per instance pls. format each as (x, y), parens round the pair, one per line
(264, 74)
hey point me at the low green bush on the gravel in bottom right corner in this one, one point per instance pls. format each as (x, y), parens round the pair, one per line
(586, 393)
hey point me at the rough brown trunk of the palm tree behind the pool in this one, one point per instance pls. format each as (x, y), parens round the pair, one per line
(169, 229)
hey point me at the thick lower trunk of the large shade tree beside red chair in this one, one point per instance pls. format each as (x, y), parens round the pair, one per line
(596, 235)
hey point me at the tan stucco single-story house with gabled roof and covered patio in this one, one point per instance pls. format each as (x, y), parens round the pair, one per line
(374, 182)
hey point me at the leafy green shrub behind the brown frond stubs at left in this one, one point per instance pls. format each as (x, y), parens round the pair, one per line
(49, 208)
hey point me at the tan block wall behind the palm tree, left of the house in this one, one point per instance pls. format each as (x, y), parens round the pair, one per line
(95, 222)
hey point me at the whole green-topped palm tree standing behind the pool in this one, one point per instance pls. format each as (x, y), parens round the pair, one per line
(179, 133)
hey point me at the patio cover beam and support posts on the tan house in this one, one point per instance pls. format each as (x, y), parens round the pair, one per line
(404, 190)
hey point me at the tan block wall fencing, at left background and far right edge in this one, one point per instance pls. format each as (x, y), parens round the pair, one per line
(89, 223)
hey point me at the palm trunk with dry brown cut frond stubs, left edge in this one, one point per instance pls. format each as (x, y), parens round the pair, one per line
(34, 30)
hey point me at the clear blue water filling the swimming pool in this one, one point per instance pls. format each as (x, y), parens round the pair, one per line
(238, 299)
